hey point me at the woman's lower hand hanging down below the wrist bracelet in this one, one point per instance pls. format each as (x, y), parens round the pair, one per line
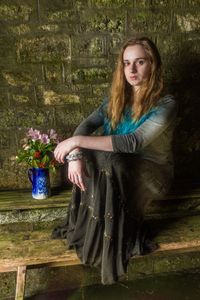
(77, 172)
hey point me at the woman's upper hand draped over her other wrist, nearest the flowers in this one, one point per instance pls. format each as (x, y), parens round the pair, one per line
(64, 148)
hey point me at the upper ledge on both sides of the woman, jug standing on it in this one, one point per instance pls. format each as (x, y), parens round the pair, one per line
(19, 206)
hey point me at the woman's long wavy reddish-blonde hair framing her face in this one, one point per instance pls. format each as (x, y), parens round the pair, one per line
(122, 93)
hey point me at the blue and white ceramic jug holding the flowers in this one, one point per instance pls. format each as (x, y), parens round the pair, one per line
(40, 183)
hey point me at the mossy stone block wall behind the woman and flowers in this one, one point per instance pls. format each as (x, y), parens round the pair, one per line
(57, 59)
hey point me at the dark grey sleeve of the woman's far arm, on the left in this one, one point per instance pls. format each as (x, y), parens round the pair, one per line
(92, 122)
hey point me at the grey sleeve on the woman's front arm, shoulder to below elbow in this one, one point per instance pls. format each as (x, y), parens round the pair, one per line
(148, 131)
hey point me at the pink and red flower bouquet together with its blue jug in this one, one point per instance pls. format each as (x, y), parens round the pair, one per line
(37, 153)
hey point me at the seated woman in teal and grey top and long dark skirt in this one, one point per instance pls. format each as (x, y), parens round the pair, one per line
(117, 174)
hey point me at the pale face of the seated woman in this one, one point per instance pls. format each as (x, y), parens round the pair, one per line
(137, 66)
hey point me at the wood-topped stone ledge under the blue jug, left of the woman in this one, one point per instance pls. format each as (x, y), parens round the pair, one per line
(19, 206)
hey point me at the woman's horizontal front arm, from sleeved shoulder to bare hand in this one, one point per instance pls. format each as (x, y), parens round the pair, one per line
(127, 143)
